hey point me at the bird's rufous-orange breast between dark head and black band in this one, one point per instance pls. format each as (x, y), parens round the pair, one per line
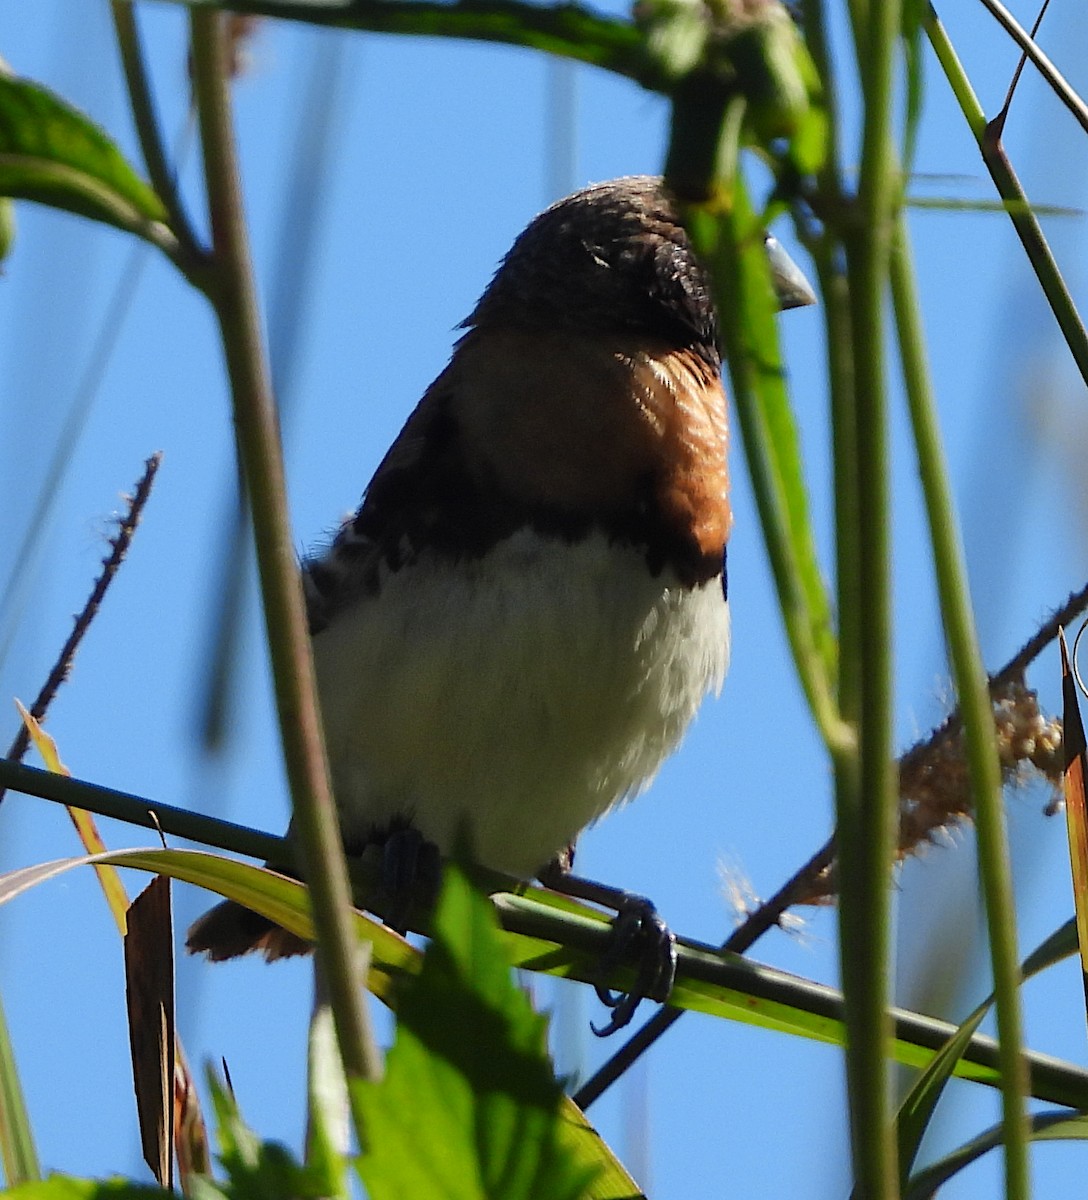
(622, 431)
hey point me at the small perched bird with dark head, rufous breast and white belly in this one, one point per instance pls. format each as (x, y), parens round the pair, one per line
(525, 615)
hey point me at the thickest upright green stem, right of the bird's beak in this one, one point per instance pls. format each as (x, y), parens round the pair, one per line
(868, 801)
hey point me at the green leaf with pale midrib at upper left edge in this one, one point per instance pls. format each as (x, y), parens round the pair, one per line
(51, 153)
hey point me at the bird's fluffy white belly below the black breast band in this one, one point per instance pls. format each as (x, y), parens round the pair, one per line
(520, 695)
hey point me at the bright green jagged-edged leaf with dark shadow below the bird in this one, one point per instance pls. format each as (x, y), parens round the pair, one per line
(470, 1107)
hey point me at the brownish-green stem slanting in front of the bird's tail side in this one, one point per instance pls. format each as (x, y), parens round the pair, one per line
(260, 451)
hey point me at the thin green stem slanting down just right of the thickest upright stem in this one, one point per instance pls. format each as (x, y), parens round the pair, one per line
(976, 709)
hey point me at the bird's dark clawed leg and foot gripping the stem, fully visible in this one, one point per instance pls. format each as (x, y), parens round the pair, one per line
(638, 928)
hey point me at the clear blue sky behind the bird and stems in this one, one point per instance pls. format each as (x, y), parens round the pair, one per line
(438, 155)
